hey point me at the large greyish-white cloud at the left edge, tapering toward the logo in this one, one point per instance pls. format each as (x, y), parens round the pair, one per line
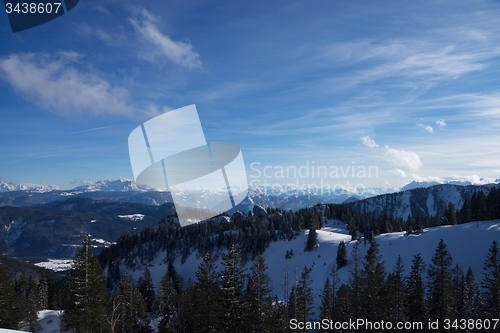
(54, 83)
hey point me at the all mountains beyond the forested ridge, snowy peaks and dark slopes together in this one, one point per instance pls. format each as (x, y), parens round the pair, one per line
(41, 221)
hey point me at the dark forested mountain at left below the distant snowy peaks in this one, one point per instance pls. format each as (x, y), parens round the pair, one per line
(56, 229)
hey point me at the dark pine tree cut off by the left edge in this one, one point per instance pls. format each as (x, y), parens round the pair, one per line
(9, 313)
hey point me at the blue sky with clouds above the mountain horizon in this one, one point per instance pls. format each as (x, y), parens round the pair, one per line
(412, 88)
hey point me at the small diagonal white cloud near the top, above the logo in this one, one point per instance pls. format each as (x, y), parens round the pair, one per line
(179, 52)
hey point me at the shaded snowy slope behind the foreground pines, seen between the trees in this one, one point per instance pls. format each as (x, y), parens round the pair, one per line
(467, 243)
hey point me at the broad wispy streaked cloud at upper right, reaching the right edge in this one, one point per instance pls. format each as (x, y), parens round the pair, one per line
(408, 63)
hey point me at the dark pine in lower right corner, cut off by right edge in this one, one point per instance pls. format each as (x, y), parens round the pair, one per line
(491, 282)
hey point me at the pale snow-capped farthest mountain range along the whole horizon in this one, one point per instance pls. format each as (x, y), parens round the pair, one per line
(125, 190)
